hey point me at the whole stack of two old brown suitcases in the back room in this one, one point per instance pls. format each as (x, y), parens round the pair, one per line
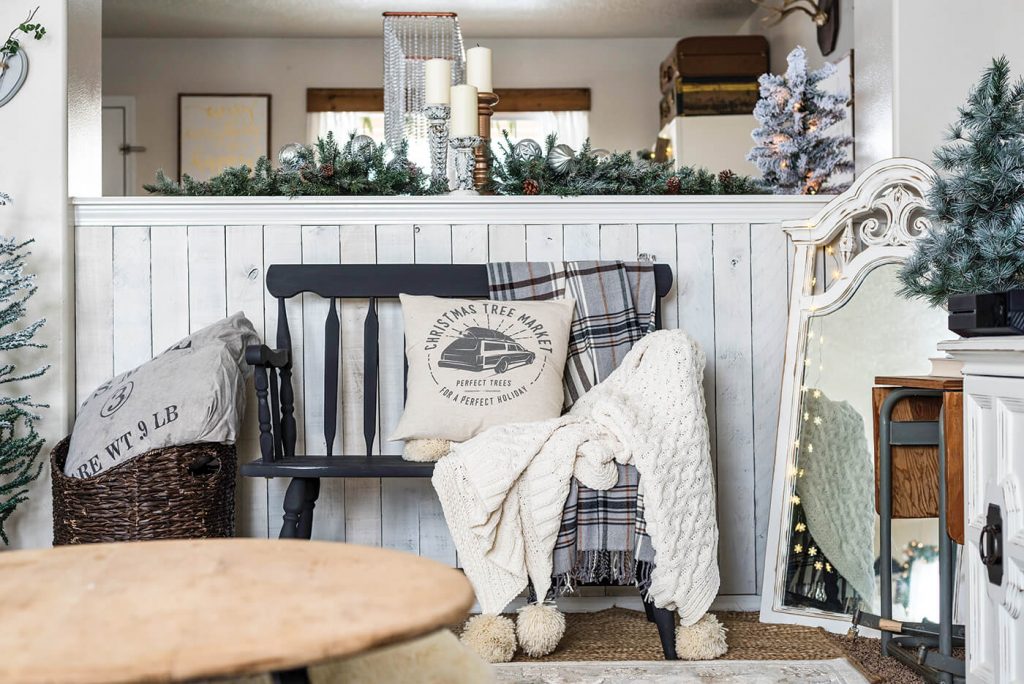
(712, 75)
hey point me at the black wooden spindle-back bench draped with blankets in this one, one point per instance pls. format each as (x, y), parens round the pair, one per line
(277, 400)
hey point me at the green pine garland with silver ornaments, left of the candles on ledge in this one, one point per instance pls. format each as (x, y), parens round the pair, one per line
(324, 169)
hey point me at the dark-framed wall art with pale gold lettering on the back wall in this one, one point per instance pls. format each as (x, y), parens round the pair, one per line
(217, 132)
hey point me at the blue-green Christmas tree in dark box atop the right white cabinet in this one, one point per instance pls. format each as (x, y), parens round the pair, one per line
(977, 208)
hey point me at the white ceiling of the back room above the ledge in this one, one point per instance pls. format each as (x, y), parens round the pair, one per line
(479, 19)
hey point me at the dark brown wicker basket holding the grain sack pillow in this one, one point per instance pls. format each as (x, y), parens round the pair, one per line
(175, 493)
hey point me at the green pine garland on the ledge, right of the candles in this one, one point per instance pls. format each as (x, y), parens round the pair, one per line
(618, 174)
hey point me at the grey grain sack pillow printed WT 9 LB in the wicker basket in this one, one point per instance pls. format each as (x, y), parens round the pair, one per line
(193, 393)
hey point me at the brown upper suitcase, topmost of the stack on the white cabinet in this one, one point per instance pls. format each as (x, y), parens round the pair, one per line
(715, 59)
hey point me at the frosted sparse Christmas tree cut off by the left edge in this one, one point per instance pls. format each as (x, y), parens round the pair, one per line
(20, 444)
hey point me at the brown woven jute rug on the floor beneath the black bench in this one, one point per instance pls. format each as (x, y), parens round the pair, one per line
(619, 634)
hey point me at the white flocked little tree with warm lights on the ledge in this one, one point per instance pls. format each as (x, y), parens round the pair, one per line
(794, 150)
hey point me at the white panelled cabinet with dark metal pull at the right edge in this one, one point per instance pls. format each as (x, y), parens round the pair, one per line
(994, 424)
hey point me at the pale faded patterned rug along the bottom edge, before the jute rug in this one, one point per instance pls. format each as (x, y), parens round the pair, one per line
(837, 671)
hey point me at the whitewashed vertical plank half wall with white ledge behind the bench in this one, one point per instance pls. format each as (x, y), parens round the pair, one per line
(151, 271)
